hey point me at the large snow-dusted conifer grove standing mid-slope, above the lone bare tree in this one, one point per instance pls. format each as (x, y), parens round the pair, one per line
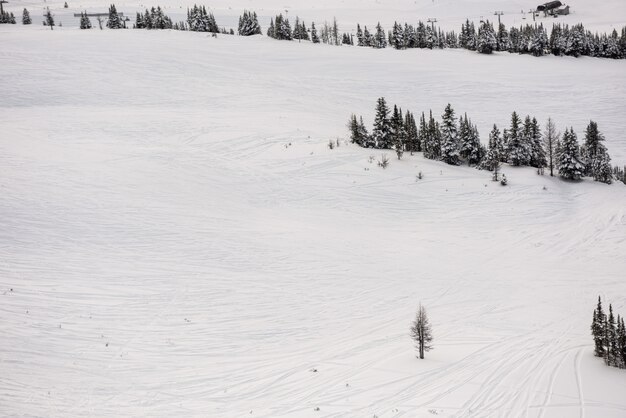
(456, 142)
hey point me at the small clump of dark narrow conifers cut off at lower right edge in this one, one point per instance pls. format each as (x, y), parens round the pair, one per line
(609, 336)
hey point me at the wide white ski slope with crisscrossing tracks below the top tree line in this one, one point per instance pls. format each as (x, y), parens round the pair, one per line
(176, 238)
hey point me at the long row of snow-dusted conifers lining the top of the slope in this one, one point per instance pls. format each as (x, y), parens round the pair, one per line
(484, 38)
